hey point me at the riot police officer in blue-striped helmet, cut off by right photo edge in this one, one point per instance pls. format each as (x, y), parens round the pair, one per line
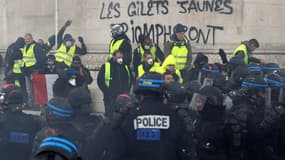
(272, 124)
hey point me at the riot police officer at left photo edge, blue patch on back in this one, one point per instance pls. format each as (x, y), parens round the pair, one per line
(17, 128)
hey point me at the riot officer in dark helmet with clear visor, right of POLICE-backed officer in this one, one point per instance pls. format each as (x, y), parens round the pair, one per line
(213, 132)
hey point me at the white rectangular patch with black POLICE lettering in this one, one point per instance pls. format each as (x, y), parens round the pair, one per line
(152, 121)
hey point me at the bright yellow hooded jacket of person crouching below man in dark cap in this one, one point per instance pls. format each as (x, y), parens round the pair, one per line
(169, 65)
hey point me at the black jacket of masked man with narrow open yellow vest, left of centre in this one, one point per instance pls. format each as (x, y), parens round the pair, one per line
(120, 82)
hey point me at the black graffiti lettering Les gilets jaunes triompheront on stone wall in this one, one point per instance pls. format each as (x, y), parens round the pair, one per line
(161, 32)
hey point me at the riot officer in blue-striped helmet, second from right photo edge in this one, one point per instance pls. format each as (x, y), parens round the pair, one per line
(248, 113)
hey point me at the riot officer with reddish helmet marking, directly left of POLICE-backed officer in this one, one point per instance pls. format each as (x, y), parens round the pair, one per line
(106, 141)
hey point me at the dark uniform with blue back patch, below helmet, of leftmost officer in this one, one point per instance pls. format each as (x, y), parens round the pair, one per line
(17, 134)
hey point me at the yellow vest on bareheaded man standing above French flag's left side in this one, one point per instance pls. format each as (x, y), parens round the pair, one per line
(29, 58)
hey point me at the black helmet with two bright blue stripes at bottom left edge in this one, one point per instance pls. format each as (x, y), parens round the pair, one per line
(57, 148)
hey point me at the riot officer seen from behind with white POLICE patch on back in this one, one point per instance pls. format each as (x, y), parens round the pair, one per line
(152, 130)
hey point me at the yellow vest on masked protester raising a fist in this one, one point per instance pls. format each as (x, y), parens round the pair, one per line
(63, 56)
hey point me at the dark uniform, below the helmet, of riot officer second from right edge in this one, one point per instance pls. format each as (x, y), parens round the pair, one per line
(249, 118)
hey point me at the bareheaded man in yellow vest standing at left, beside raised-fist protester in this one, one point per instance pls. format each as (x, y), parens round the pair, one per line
(33, 57)
